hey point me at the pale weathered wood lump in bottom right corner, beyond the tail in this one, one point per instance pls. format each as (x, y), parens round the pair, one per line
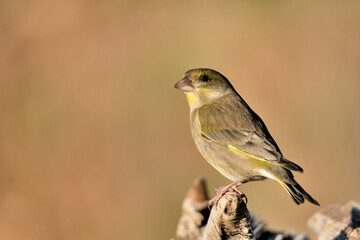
(336, 222)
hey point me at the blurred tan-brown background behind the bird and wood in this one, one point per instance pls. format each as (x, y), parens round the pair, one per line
(95, 141)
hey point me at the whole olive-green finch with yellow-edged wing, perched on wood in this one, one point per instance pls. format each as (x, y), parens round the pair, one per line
(233, 138)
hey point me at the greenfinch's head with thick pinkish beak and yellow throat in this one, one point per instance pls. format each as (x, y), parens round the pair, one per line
(203, 85)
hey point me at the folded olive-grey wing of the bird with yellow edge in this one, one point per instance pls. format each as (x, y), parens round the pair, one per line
(240, 131)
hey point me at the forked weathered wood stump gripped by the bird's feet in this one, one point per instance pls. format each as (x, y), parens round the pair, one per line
(230, 219)
